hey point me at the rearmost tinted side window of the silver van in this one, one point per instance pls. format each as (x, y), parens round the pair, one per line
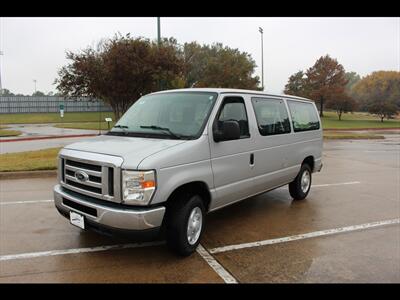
(304, 116)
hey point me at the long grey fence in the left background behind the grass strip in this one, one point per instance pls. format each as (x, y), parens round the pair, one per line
(52, 104)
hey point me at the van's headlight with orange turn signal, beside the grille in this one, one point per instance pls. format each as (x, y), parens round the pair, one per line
(138, 186)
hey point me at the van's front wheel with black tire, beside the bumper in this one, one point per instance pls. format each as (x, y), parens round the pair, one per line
(182, 209)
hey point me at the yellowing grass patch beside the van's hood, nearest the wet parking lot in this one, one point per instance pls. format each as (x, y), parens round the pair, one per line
(29, 160)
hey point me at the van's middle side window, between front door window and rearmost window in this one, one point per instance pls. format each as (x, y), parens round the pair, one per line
(272, 117)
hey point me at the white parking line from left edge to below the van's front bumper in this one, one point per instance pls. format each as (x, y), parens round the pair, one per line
(77, 250)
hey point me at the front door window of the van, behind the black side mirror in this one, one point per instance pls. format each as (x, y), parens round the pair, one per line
(234, 109)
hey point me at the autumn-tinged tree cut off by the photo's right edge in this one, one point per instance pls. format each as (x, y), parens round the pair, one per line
(380, 92)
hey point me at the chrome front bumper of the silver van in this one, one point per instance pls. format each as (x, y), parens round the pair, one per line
(109, 215)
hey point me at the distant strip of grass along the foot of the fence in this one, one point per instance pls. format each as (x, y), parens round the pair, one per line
(54, 117)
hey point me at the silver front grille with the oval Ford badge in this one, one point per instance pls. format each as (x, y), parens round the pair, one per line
(95, 180)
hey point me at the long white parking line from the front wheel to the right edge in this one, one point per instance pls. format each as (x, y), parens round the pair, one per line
(304, 236)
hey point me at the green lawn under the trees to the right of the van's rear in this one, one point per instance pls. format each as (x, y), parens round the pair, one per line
(356, 120)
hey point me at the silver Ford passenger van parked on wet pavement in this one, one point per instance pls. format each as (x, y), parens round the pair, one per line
(176, 155)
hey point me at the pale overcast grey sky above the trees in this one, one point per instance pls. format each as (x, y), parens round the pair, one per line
(34, 48)
